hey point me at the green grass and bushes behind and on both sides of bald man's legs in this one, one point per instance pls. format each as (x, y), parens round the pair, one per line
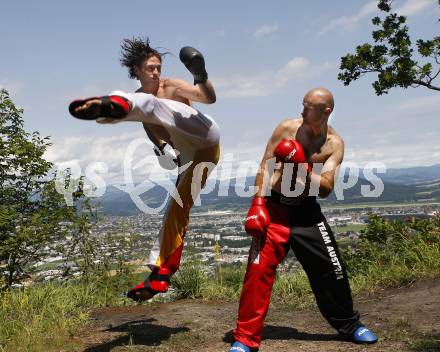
(389, 253)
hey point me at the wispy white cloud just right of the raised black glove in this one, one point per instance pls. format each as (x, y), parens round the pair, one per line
(266, 83)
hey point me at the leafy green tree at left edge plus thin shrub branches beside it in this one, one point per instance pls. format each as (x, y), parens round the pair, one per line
(33, 215)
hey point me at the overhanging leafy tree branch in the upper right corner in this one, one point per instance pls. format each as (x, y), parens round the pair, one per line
(393, 56)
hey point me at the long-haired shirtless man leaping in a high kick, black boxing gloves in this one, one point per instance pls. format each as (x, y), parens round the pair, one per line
(164, 106)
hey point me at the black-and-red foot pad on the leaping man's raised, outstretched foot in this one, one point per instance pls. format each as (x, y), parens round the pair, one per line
(113, 106)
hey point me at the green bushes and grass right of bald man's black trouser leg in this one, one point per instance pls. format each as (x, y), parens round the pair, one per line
(392, 253)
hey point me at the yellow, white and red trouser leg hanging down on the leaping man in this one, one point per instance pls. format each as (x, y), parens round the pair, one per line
(167, 250)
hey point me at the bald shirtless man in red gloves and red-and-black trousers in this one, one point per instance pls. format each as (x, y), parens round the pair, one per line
(305, 154)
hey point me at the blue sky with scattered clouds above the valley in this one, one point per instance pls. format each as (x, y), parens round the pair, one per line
(261, 57)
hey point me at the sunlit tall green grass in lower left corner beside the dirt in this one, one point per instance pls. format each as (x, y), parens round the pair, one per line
(48, 314)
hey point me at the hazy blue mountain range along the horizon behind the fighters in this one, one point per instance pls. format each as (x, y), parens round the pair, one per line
(400, 185)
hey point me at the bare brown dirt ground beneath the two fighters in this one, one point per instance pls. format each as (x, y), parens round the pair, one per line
(405, 319)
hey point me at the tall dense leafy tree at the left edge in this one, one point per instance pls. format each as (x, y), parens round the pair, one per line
(32, 213)
